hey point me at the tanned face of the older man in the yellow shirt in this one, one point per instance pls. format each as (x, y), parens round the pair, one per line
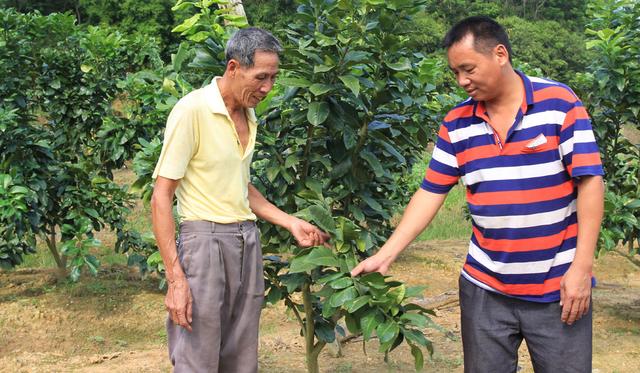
(251, 84)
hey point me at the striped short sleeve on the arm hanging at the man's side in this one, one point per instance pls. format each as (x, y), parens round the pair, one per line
(578, 148)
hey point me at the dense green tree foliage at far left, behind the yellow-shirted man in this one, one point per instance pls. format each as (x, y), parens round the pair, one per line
(62, 135)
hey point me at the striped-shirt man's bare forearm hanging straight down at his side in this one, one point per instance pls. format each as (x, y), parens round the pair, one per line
(590, 206)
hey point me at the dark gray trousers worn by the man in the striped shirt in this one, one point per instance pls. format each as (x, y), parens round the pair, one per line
(494, 325)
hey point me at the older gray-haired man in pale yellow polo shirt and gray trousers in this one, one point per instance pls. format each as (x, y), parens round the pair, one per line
(214, 270)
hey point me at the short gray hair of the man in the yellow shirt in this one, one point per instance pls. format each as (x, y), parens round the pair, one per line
(245, 42)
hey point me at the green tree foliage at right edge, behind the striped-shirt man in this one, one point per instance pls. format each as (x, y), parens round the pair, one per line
(612, 90)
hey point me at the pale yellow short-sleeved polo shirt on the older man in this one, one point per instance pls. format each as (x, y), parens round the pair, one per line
(202, 149)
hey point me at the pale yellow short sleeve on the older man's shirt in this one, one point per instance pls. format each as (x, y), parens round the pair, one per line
(179, 144)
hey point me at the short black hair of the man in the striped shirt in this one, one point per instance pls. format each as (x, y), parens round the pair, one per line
(486, 32)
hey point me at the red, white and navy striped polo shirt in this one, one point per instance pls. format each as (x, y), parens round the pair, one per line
(521, 194)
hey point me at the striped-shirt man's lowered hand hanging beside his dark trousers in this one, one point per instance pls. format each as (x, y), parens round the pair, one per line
(575, 294)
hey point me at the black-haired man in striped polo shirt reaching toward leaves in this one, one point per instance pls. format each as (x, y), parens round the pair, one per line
(525, 151)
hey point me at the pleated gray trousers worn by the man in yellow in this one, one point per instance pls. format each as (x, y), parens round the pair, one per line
(223, 265)
